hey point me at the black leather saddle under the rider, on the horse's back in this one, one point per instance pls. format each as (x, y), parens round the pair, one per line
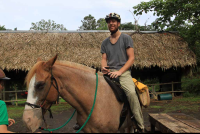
(120, 95)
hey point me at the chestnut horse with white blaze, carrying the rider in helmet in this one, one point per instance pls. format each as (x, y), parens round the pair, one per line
(76, 84)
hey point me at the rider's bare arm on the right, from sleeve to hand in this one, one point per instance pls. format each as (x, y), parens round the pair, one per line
(129, 63)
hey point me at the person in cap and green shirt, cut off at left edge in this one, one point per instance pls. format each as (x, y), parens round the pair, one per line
(5, 122)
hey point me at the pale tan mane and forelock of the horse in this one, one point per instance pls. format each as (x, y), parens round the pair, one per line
(59, 63)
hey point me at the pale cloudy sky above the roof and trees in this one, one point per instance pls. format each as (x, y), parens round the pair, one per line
(21, 13)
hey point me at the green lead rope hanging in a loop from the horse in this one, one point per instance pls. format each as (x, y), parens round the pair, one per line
(51, 130)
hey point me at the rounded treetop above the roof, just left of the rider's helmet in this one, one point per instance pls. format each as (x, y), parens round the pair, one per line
(88, 23)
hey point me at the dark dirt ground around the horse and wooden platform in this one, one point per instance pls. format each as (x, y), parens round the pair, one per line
(61, 117)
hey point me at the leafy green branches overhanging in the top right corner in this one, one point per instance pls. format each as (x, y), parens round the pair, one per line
(182, 10)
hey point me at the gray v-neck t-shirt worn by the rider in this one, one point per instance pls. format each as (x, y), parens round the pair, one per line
(116, 53)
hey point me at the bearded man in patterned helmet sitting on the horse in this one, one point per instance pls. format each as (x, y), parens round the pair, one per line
(118, 54)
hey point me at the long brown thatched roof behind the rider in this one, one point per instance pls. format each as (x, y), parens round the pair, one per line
(20, 50)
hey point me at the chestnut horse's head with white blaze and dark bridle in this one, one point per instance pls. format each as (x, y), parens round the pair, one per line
(41, 93)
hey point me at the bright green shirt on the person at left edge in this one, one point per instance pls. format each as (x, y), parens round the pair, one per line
(3, 113)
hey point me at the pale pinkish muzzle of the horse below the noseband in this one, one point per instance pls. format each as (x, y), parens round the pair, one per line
(32, 118)
